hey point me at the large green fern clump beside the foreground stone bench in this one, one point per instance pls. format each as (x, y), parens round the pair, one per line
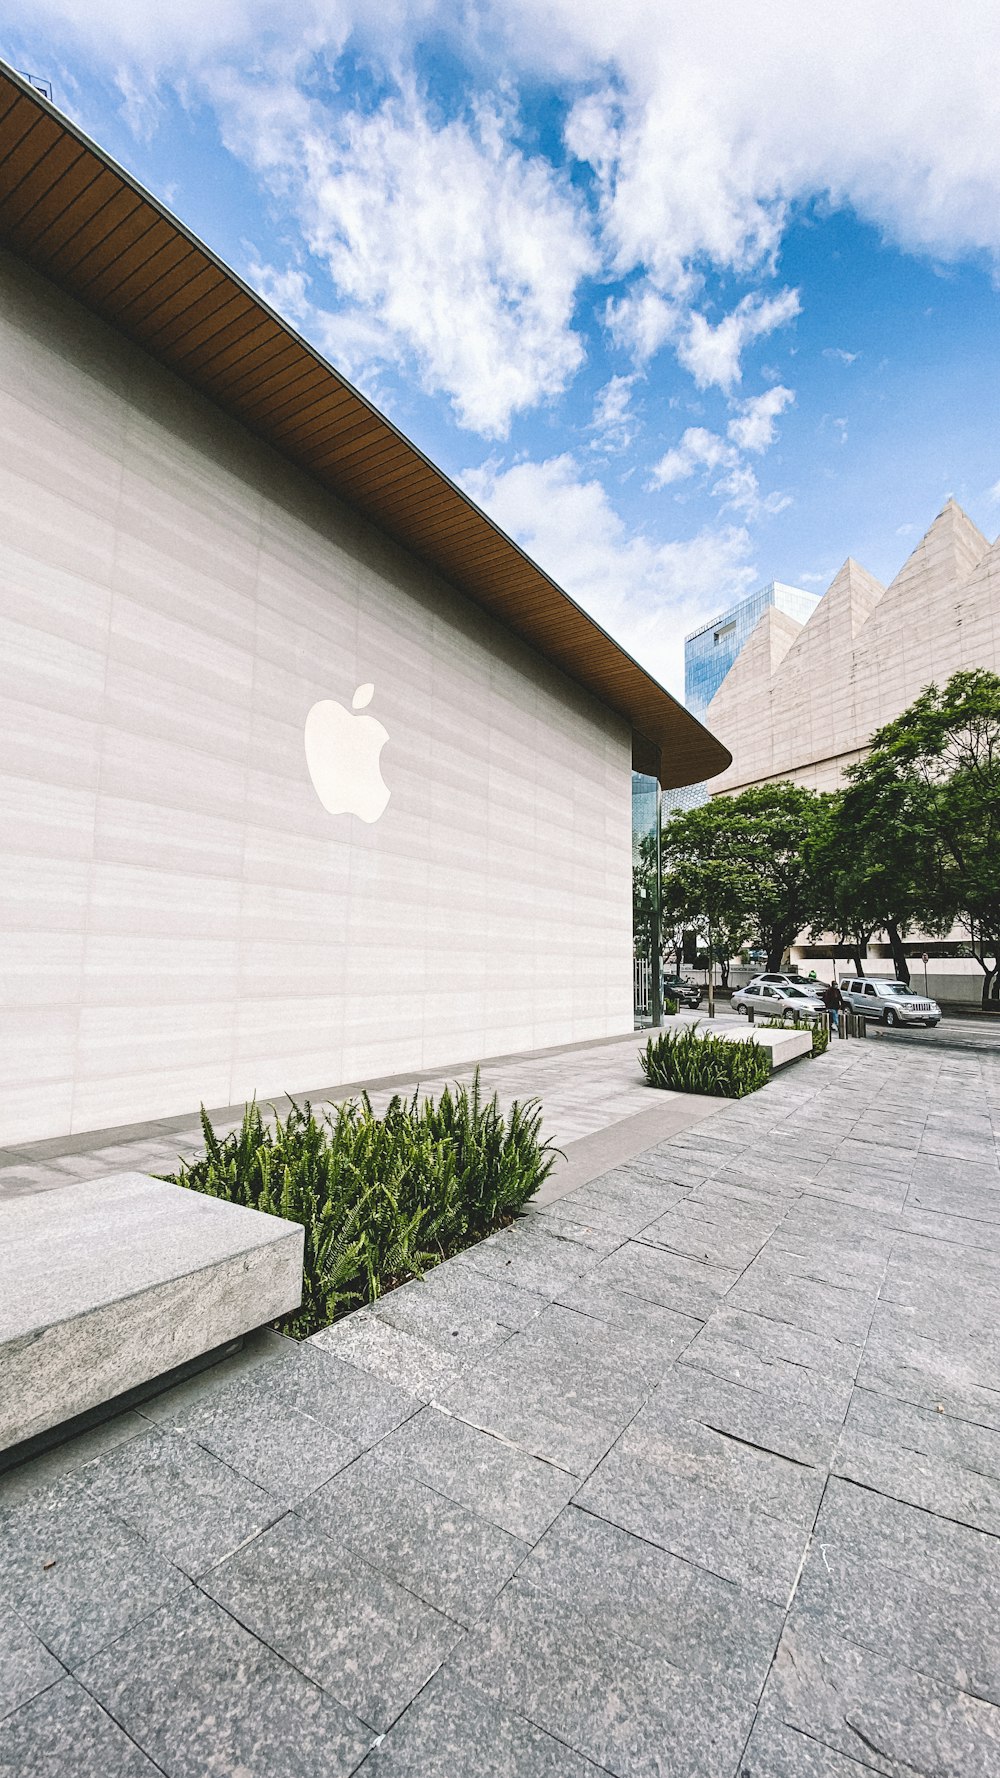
(382, 1199)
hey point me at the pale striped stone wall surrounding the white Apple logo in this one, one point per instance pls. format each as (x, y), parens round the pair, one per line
(182, 920)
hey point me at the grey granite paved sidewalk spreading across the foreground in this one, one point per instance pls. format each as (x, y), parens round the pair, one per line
(693, 1473)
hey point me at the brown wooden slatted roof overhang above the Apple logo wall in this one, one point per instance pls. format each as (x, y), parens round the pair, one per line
(83, 221)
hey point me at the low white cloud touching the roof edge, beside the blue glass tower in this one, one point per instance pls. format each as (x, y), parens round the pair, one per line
(649, 595)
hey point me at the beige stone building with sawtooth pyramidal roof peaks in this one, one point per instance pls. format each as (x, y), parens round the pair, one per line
(805, 700)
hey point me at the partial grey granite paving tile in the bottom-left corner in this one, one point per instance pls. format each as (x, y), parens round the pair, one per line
(65, 1734)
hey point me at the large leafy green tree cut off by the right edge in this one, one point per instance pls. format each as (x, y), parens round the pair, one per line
(926, 806)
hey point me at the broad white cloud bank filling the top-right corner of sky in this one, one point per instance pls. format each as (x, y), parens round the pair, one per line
(714, 124)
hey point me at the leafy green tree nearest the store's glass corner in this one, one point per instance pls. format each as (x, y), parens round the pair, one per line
(745, 865)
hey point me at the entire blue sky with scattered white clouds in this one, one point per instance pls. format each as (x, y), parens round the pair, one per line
(690, 298)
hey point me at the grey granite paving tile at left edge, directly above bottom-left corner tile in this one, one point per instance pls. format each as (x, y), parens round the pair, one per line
(77, 1574)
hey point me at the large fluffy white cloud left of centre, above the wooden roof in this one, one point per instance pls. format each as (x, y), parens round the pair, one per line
(444, 243)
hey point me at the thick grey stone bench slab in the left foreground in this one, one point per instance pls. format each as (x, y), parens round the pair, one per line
(111, 1283)
